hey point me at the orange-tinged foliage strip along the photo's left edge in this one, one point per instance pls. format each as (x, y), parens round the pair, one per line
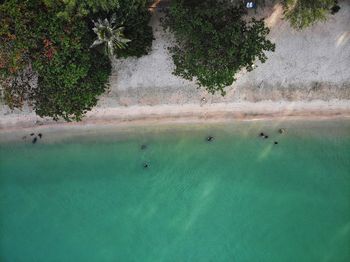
(16, 43)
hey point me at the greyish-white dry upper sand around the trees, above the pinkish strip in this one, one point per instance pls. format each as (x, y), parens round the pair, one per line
(307, 65)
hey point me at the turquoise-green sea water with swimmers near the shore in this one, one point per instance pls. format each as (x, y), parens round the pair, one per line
(238, 198)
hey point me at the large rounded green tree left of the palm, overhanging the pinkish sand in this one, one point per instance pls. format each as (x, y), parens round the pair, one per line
(71, 79)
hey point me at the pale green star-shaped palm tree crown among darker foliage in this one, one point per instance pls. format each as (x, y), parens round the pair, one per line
(110, 34)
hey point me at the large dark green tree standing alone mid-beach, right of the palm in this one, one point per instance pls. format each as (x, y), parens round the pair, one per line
(214, 42)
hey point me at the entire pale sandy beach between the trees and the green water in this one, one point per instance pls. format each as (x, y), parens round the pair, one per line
(306, 77)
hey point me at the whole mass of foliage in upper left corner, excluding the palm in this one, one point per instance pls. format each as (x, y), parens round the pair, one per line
(38, 42)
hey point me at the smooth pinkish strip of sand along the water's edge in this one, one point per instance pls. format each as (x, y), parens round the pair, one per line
(187, 113)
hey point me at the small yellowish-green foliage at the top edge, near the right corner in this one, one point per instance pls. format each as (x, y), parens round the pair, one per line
(304, 13)
